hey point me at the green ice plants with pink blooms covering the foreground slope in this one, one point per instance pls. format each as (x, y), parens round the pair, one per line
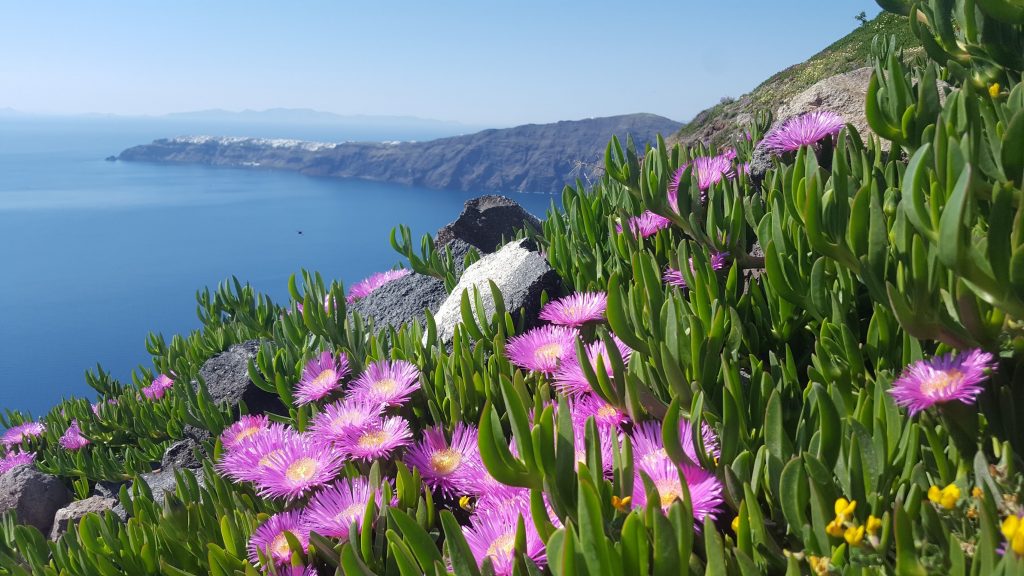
(817, 371)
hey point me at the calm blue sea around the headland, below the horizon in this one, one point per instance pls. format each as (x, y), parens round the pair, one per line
(95, 256)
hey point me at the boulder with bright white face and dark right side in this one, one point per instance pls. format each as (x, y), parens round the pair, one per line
(519, 271)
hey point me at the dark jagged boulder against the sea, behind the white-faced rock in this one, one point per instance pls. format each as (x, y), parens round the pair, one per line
(485, 221)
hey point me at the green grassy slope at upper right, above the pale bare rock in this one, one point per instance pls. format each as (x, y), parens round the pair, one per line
(851, 52)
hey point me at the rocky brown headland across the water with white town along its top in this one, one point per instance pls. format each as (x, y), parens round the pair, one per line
(530, 158)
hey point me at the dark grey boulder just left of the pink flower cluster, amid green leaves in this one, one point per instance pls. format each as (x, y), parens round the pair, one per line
(227, 378)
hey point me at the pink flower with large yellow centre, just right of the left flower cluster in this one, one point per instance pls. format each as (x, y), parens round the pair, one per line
(445, 466)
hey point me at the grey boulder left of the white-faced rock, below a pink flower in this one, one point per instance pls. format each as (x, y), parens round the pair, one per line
(403, 301)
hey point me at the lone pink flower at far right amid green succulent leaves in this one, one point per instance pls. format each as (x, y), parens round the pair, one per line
(944, 379)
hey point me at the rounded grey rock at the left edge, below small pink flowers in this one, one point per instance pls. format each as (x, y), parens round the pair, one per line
(34, 497)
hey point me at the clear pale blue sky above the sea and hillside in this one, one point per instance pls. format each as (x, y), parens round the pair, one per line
(485, 63)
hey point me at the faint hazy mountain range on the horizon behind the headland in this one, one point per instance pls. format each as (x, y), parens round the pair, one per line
(308, 116)
